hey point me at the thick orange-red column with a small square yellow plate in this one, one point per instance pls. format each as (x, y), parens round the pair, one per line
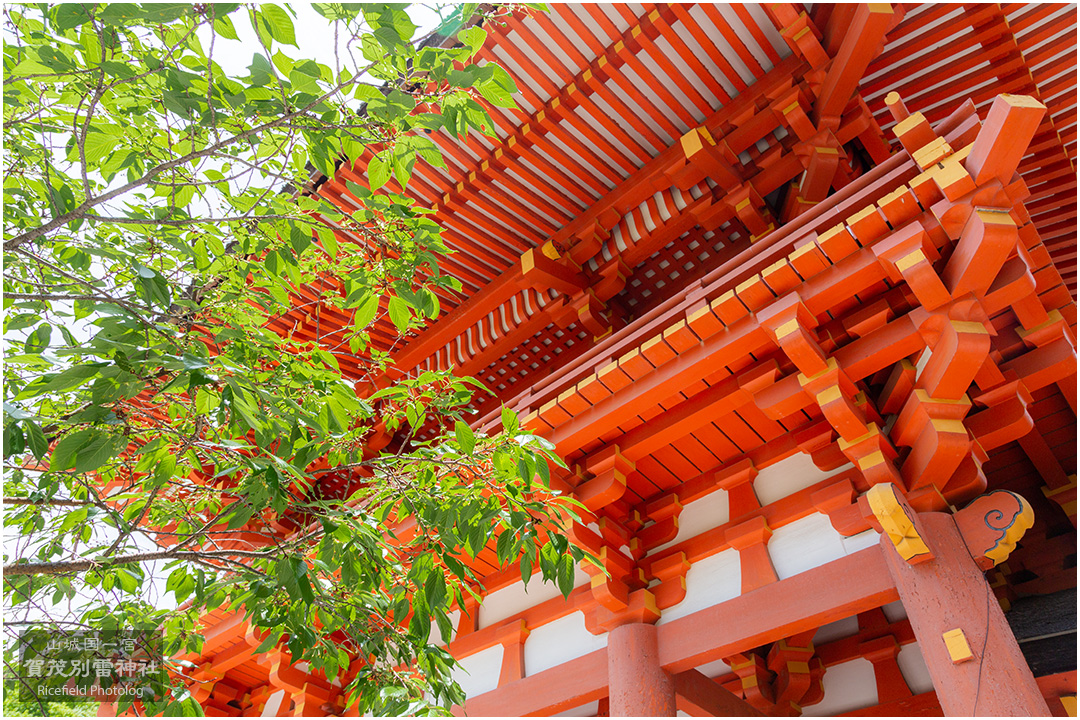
(970, 650)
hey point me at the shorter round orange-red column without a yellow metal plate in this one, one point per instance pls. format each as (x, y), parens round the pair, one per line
(638, 686)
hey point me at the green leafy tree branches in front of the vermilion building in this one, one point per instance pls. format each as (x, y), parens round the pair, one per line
(185, 334)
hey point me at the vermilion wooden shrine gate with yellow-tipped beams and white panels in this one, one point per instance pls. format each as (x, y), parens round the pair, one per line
(793, 292)
